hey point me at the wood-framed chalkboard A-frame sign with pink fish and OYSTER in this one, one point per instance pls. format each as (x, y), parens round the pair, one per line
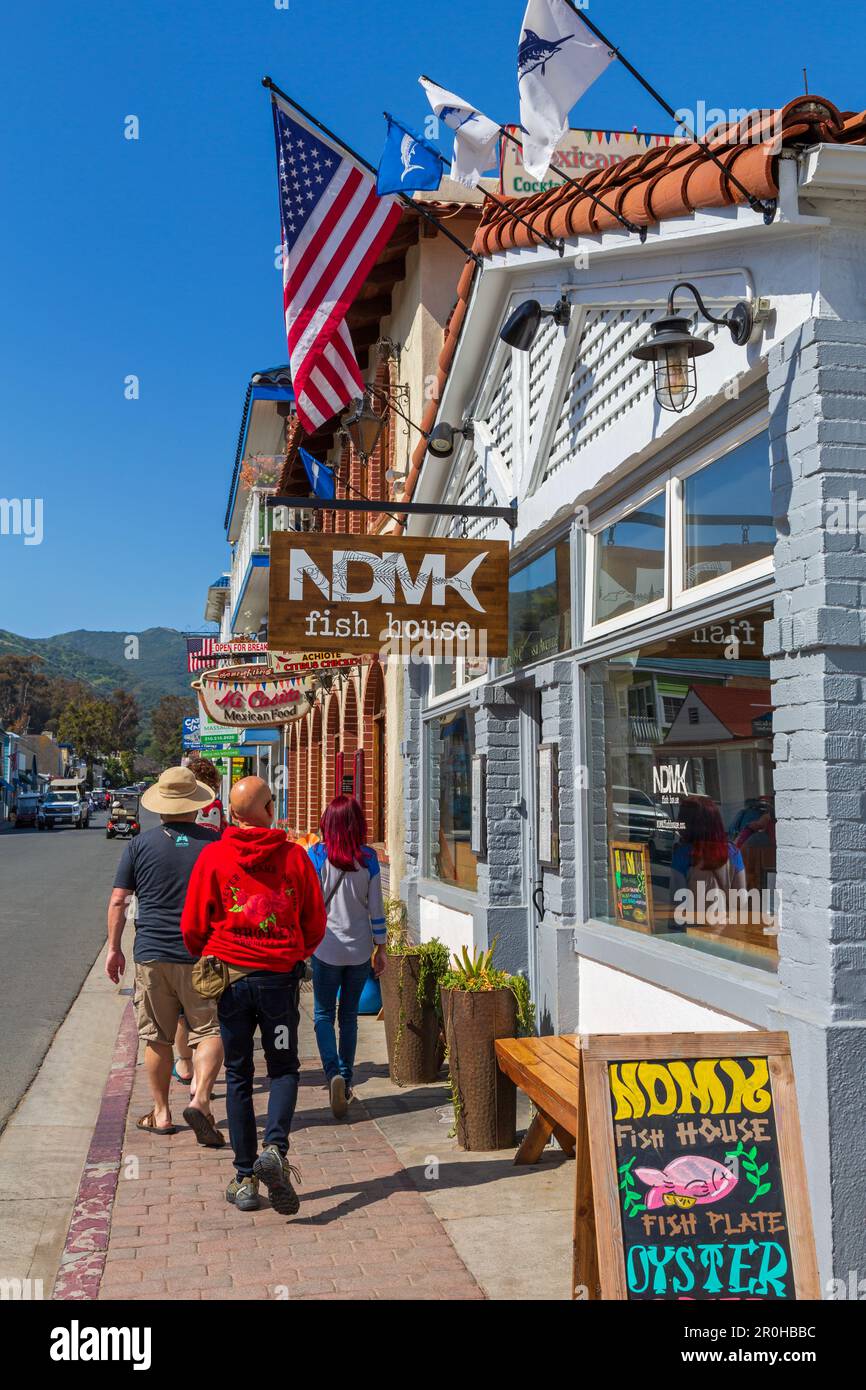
(692, 1182)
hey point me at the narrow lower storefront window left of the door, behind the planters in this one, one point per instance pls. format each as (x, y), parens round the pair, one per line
(450, 758)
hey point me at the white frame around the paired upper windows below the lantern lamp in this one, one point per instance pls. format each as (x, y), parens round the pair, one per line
(672, 484)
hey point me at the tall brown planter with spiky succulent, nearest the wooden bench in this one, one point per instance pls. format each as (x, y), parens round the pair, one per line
(482, 1004)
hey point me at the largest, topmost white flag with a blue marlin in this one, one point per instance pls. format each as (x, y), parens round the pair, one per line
(558, 59)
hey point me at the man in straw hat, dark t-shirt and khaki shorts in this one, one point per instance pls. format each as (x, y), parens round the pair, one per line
(156, 868)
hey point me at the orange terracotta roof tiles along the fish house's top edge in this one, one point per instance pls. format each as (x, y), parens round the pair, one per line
(675, 180)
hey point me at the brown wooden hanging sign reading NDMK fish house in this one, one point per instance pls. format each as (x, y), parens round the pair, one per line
(386, 594)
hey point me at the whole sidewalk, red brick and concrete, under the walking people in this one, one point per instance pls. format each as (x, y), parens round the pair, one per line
(390, 1207)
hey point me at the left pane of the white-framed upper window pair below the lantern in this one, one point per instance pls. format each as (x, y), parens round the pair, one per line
(630, 561)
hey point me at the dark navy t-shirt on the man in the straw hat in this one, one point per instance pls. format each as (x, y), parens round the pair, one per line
(156, 867)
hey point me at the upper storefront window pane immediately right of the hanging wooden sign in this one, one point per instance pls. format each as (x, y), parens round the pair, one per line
(540, 608)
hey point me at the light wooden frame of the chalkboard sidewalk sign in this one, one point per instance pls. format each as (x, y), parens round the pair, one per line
(600, 1266)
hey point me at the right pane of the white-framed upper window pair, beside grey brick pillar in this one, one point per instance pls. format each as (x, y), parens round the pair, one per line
(728, 514)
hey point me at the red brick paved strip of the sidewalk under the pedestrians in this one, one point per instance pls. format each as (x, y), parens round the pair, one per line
(363, 1231)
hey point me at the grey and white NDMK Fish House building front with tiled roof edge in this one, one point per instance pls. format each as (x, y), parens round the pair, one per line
(687, 643)
